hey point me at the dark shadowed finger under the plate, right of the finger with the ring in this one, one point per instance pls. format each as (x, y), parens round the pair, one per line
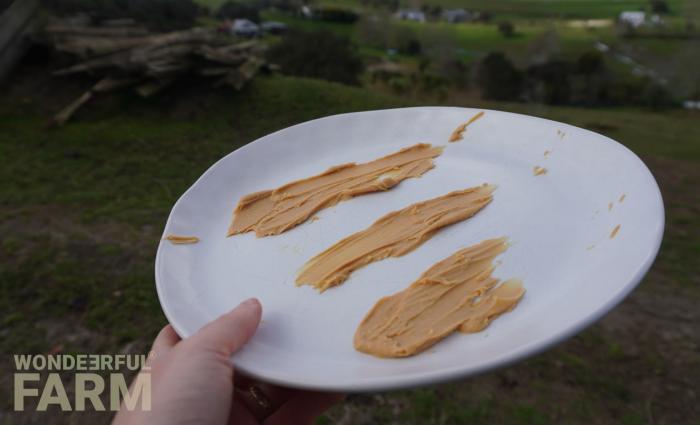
(303, 408)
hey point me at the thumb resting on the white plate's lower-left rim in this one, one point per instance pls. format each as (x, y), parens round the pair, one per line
(232, 330)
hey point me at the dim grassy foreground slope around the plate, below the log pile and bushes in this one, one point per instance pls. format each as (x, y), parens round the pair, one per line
(82, 216)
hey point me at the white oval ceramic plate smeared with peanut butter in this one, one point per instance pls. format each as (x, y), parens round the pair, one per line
(559, 225)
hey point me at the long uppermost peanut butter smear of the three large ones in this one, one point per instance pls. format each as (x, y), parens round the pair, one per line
(271, 212)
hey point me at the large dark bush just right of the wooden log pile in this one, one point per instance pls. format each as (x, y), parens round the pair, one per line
(318, 54)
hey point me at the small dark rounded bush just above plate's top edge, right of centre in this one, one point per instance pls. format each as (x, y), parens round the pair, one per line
(499, 78)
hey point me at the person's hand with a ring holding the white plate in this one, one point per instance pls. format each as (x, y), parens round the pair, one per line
(192, 381)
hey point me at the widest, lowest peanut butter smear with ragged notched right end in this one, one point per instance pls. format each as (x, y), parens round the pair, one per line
(456, 294)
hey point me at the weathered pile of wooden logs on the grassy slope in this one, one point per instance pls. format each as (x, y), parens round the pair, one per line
(123, 54)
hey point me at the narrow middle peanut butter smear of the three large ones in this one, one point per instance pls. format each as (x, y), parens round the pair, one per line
(393, 235)
